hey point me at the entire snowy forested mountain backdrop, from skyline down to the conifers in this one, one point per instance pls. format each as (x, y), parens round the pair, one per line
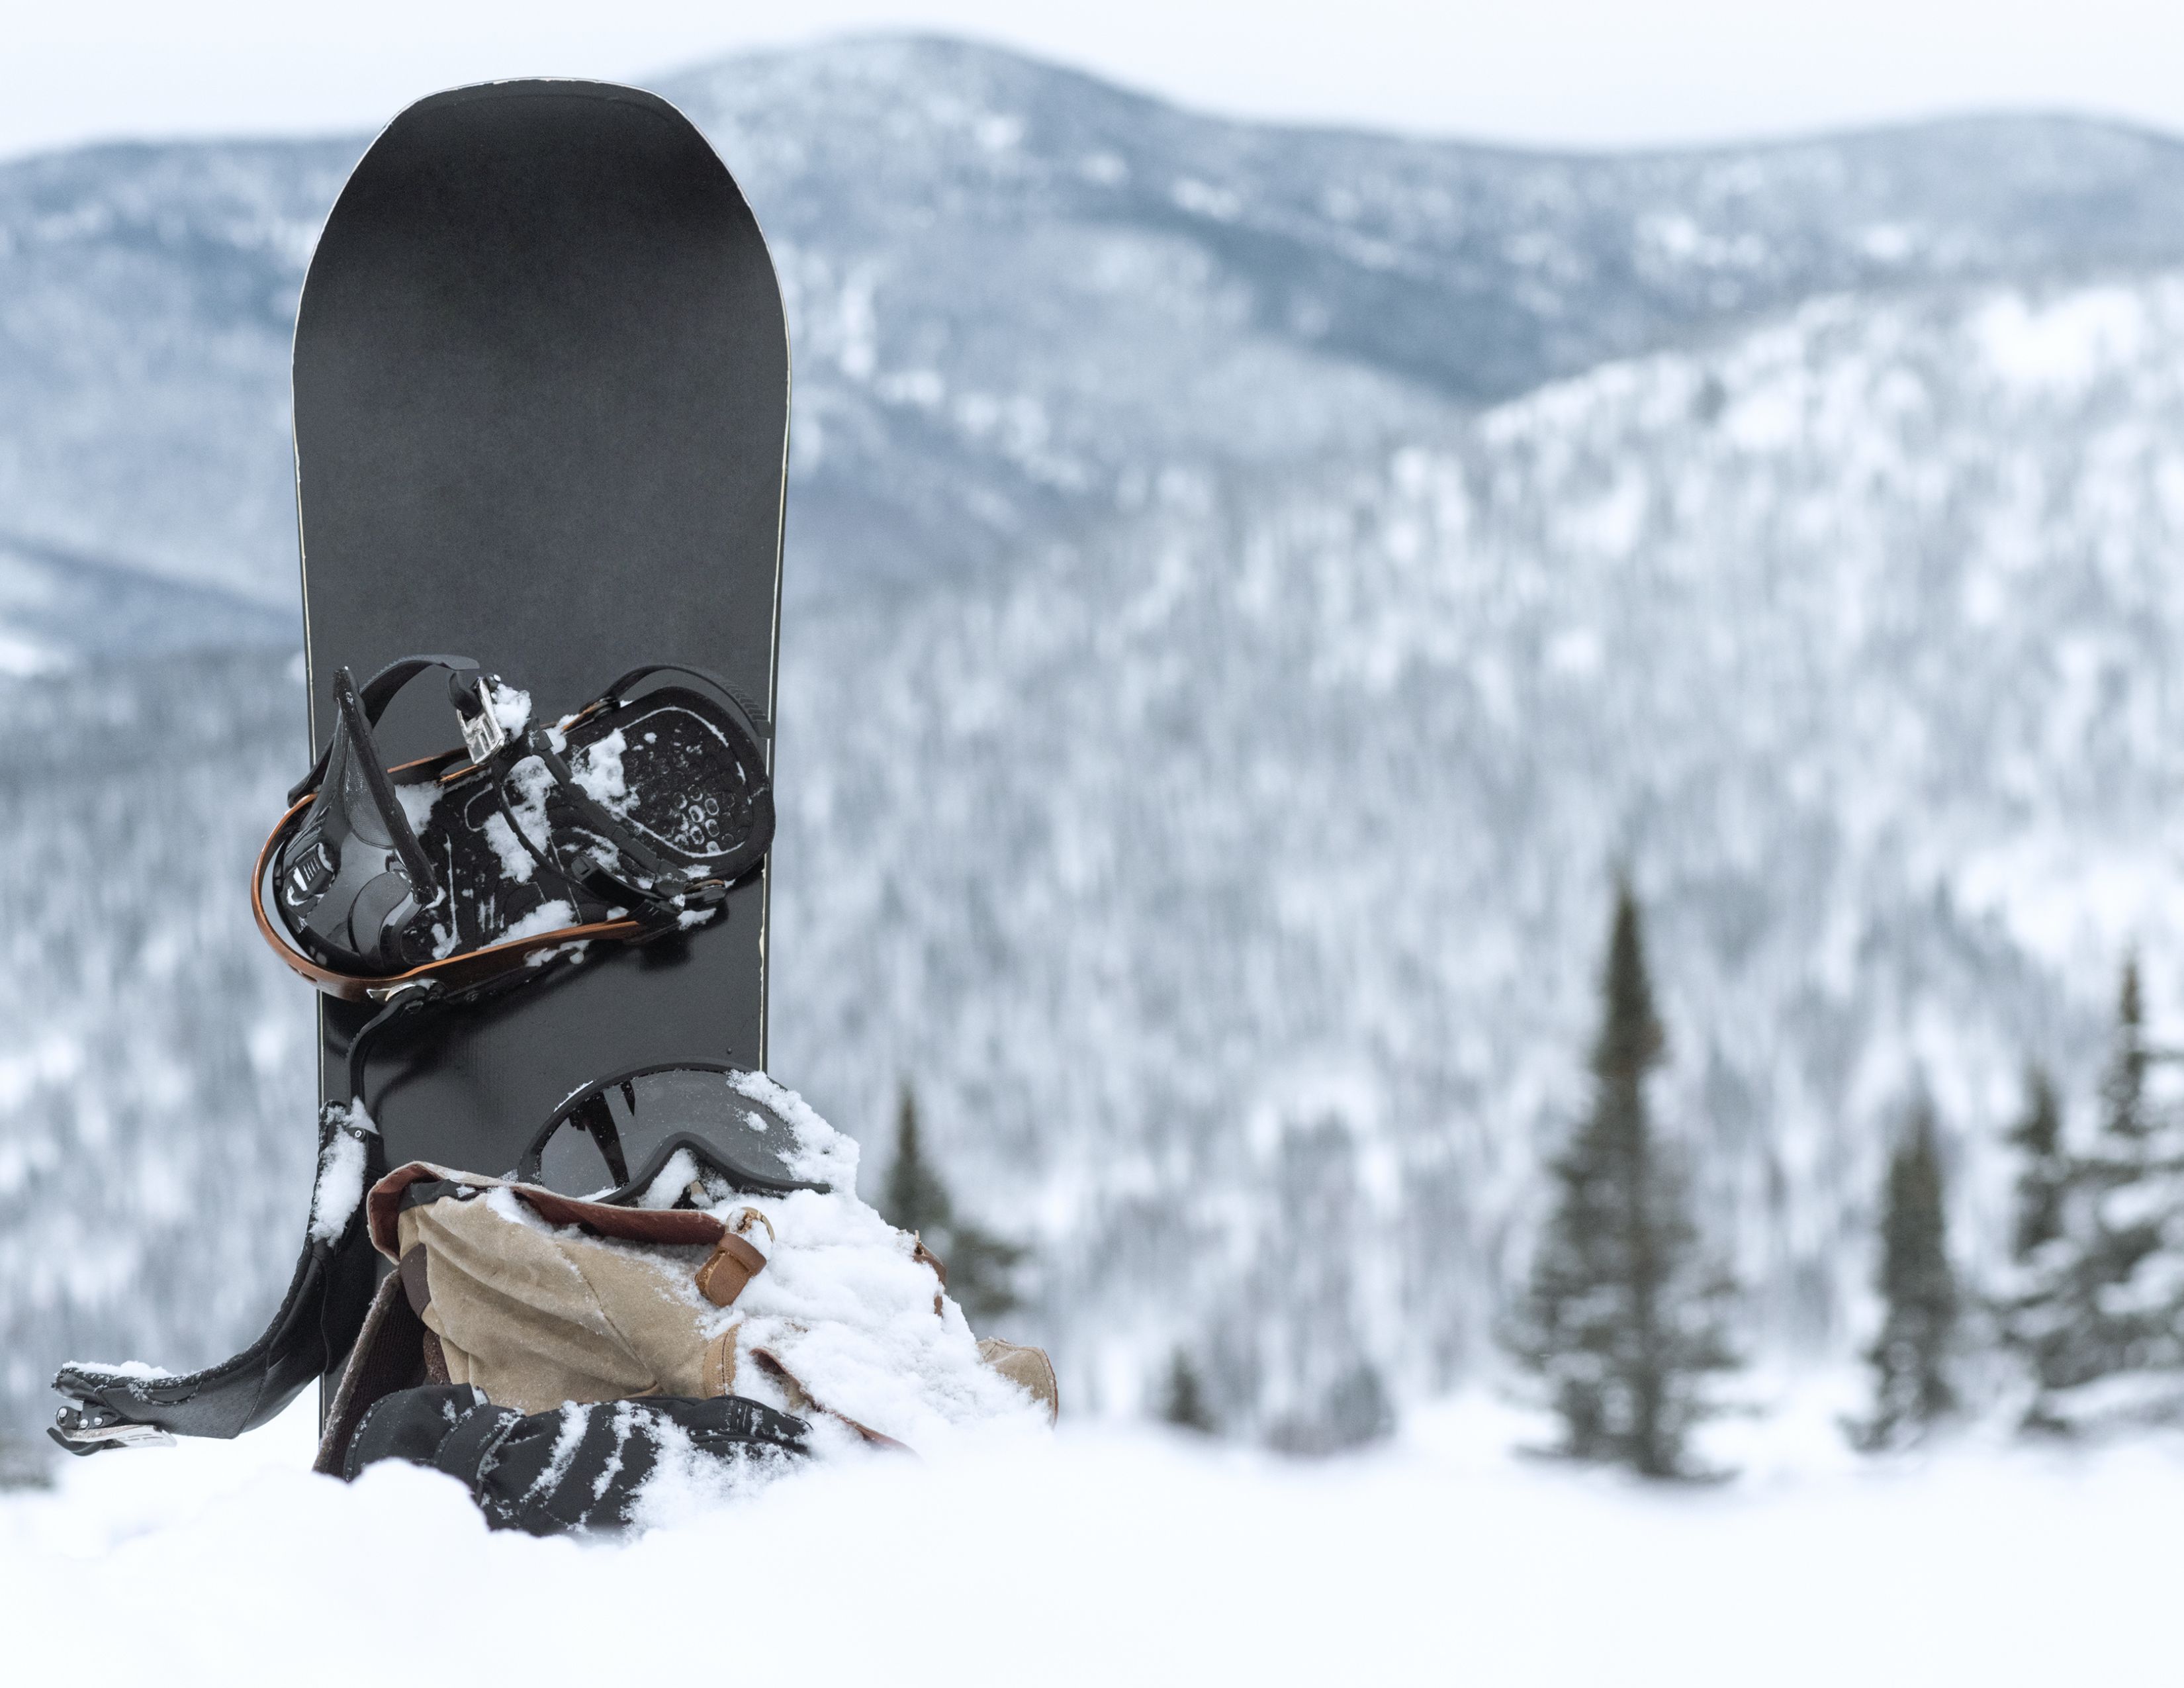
(1250, 593)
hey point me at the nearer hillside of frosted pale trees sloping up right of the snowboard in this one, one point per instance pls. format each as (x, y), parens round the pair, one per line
(1290, 813)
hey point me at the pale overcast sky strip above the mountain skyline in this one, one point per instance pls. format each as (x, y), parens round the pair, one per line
(1580, 73)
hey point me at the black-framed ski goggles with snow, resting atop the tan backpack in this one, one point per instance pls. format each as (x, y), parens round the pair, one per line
(617, 1137)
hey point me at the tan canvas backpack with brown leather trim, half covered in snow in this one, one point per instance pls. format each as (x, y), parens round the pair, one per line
(538, 1300)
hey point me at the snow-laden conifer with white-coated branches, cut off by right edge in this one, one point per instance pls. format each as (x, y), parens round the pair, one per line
(2100, 1318)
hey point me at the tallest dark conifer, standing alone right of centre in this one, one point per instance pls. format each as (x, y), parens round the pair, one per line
(1624, 1320)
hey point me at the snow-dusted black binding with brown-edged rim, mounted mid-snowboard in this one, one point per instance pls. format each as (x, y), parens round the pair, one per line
(475, 868)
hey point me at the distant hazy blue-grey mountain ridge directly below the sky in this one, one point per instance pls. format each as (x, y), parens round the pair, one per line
(969, 346)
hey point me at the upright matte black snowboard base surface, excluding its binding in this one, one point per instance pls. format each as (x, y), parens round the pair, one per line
(543, 420)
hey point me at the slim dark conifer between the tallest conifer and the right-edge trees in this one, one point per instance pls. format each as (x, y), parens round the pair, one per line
(1919, 1287)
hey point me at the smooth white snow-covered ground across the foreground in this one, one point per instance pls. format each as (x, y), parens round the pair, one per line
(1117, 1556)
